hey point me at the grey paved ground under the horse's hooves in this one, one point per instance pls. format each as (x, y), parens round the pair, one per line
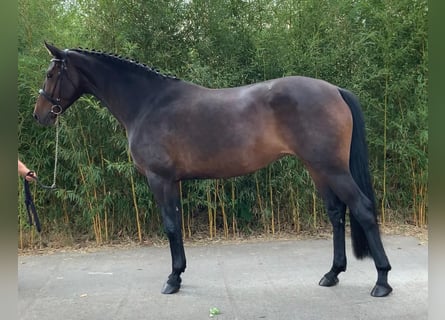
(261, 280)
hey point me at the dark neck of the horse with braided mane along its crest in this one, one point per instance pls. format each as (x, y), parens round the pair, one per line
(124, 90)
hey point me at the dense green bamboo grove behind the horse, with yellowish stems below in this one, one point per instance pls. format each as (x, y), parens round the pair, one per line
(375, 48)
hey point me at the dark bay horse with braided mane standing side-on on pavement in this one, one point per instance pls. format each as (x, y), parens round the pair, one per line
(178, 130)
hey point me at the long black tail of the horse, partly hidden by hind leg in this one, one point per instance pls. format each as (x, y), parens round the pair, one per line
(359, 166)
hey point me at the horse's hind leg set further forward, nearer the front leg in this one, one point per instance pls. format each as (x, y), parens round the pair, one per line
(336, 210)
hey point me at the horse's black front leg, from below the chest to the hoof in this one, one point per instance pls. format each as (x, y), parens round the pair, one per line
(167, 196)
